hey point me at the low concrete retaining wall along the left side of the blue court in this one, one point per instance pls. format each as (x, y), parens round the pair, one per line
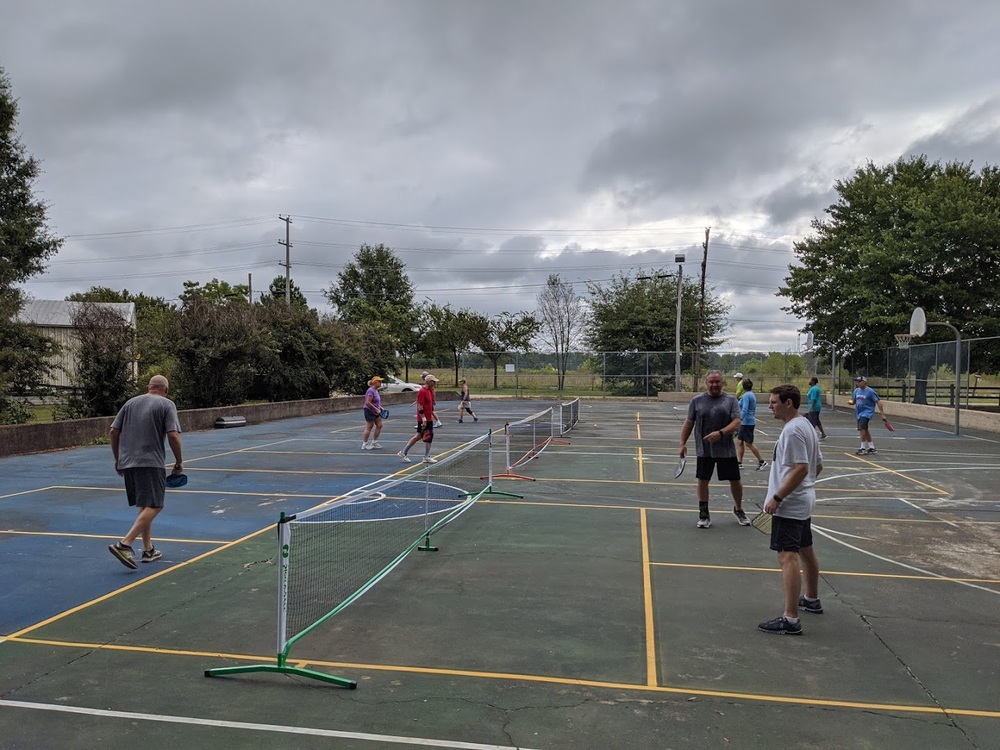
(35, 438)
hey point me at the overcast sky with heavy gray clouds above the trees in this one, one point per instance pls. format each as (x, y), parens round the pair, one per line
(490, 143)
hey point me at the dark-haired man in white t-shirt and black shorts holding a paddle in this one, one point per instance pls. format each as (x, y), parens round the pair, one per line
(791, 496)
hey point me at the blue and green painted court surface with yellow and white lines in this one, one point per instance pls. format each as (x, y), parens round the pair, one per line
(589, 612)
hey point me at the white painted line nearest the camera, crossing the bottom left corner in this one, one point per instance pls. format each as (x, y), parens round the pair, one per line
(276, 728)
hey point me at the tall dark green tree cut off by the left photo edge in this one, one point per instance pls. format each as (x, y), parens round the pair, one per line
(25, 245)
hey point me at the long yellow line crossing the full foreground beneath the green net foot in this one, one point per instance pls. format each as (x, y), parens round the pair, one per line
(541, 679)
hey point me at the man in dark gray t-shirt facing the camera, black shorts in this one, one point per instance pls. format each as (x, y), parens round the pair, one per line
(714, 417)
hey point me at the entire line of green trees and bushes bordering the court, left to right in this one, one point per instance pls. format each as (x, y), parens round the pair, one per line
(907, 234)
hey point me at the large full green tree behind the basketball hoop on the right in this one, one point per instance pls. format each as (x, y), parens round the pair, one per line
(910, 234)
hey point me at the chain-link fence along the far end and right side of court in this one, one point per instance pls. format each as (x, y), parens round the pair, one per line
(923, 373)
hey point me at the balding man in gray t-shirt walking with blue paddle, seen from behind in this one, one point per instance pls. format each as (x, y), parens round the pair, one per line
(137, 437)
